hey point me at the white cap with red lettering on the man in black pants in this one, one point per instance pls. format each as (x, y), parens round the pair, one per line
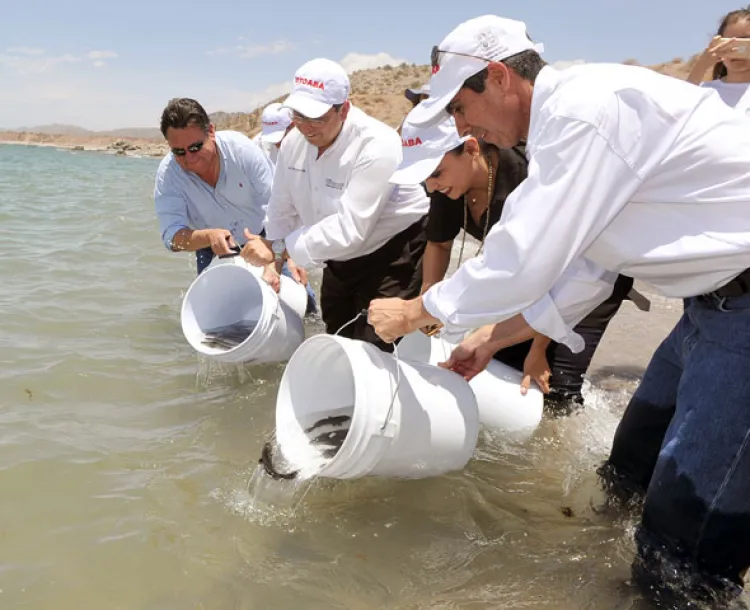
(318, 85)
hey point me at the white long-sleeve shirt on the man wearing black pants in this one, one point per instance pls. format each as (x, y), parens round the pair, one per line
(341, 206)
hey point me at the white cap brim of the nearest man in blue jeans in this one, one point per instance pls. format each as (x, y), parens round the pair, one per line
(444, 86)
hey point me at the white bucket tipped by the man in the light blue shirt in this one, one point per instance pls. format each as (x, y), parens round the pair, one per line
(231, 290)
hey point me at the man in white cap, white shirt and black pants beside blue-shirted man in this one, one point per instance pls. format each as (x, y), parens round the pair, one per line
(332, 203)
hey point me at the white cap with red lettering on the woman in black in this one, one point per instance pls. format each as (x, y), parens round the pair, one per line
(424, 148)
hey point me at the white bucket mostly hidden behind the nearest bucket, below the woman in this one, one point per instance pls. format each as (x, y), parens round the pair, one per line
(502, 407)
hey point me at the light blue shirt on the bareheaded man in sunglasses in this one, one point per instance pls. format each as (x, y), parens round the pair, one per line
(184, 201)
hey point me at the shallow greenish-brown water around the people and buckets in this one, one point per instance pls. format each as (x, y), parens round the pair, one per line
(128, 467)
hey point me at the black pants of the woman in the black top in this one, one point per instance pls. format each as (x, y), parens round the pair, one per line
(568, 368)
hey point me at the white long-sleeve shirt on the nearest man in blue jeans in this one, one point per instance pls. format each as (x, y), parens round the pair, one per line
(630, 172)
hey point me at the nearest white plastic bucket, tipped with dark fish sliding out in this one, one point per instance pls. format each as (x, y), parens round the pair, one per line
(431, 426)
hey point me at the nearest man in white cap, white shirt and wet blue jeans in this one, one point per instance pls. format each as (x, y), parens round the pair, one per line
(630, 172)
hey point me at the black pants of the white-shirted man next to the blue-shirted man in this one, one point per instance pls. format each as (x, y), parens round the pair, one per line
(393, 270)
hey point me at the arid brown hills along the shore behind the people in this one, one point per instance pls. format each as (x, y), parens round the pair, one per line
(379, 92)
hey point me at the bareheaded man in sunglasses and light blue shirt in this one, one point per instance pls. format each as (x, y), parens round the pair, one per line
(211, 186)
